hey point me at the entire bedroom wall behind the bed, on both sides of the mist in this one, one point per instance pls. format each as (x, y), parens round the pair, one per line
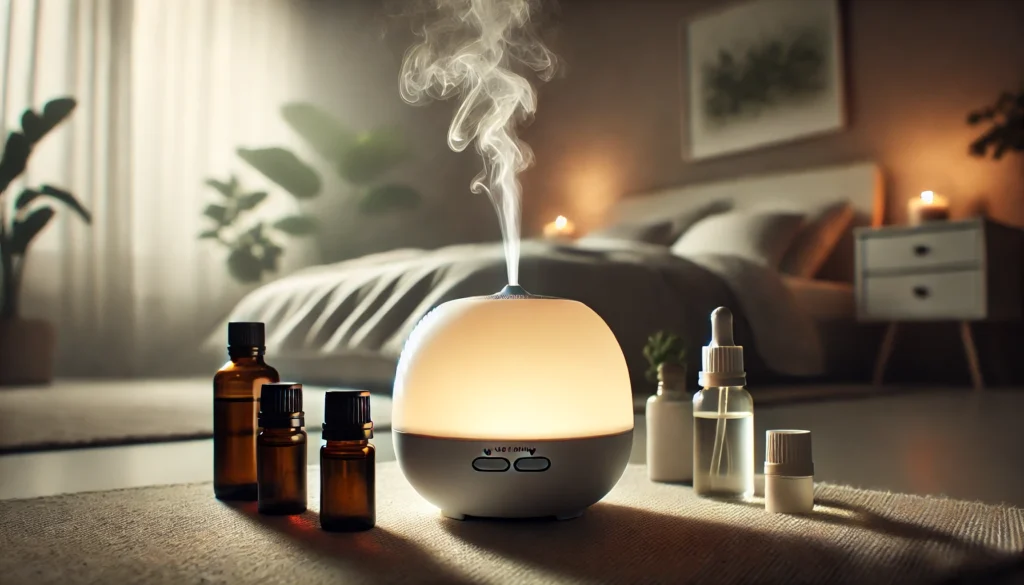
(611, 124)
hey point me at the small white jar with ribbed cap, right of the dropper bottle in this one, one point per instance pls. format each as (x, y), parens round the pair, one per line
(789, 473)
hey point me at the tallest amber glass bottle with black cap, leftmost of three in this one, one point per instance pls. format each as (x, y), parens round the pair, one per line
(236, 404)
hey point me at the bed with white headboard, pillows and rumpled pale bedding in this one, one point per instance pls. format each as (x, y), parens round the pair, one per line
(665, 261)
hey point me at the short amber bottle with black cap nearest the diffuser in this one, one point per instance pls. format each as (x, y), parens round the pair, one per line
(348, 464)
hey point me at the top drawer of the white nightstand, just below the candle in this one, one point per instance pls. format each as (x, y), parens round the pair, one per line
(922, 250)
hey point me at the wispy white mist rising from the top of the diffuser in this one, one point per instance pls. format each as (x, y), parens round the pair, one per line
(468, 50)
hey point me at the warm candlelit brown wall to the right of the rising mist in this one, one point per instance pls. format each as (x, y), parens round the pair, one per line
(916, 68)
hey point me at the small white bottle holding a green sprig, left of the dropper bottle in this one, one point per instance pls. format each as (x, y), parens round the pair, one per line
(670, 428)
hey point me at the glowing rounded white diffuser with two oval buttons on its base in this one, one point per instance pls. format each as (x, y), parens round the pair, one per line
(513, 406)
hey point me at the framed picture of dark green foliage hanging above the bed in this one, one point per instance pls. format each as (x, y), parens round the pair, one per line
(761, 73)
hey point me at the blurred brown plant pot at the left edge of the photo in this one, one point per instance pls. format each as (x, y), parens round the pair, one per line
(27, 349)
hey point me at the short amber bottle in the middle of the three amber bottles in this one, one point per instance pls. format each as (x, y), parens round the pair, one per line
(281, 451)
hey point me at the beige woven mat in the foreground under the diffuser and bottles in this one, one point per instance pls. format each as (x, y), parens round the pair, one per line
(641, 533)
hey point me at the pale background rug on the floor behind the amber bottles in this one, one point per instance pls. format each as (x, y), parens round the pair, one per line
(79, 414)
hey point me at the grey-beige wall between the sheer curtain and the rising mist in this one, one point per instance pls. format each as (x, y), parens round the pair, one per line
(355, 56)
